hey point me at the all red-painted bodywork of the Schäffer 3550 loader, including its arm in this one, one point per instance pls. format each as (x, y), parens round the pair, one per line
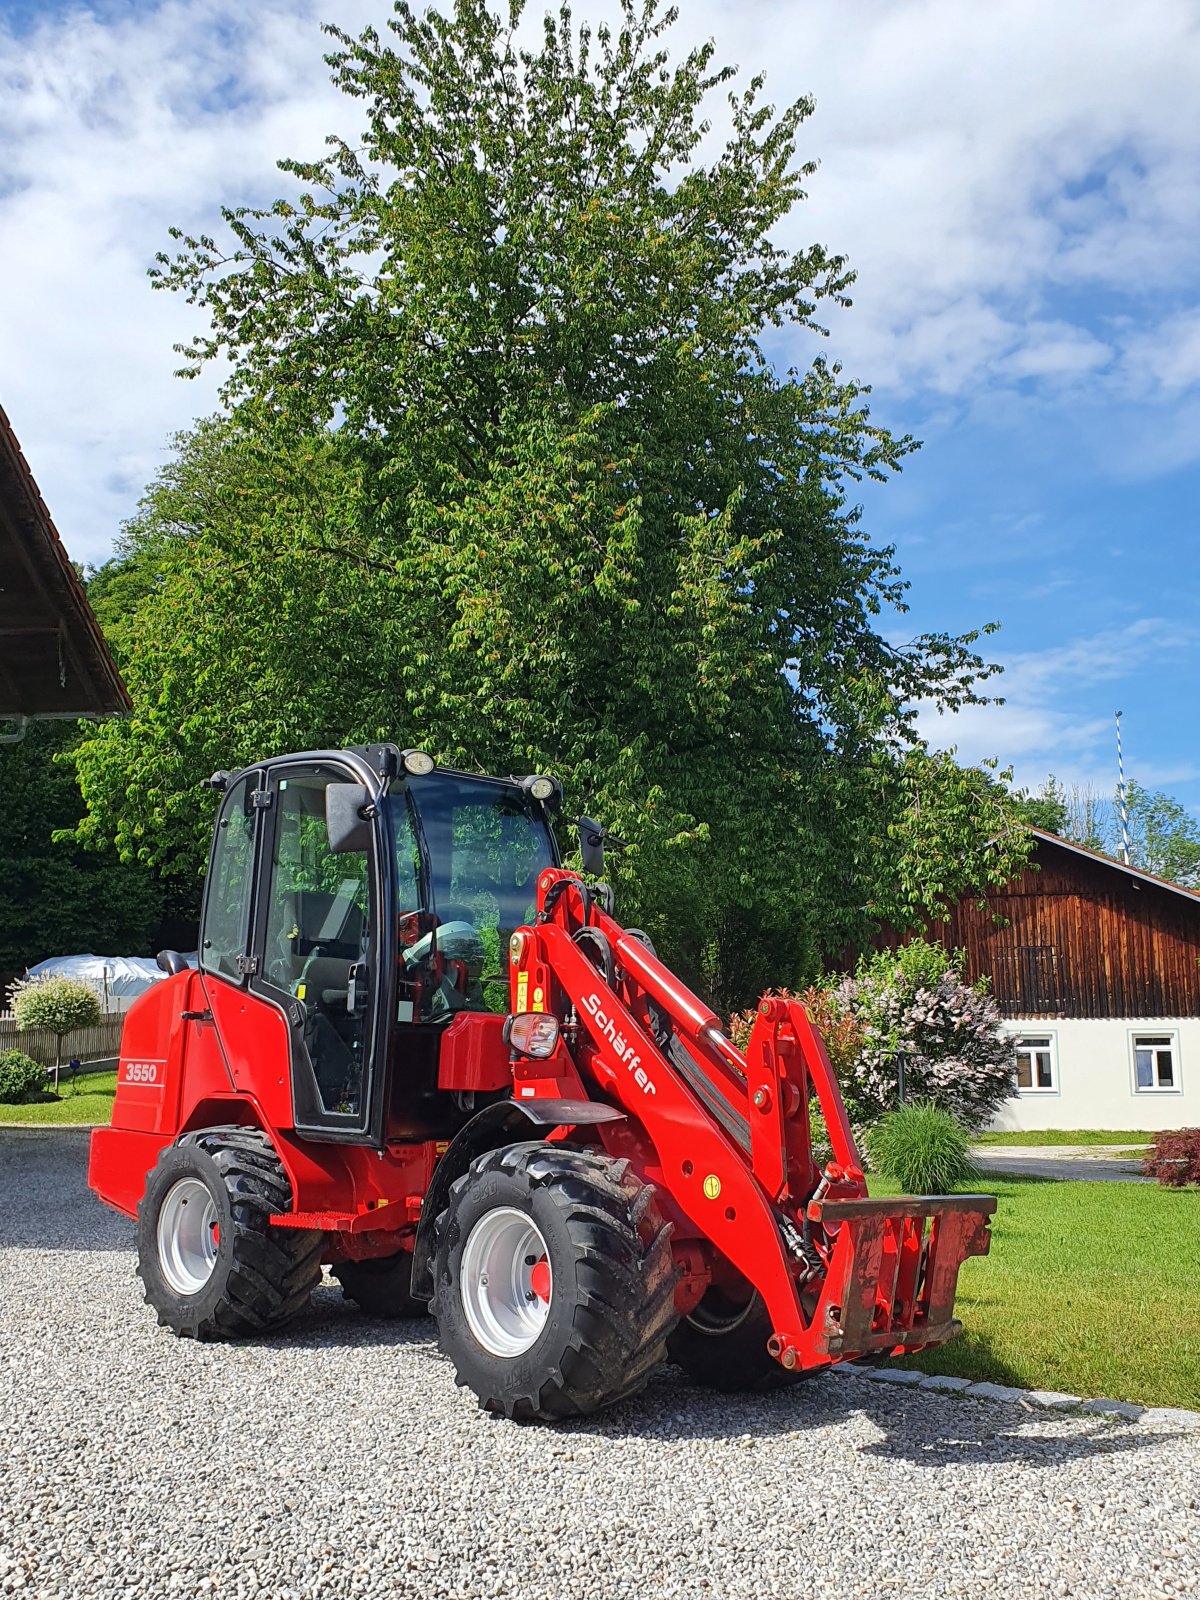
(722, 1135)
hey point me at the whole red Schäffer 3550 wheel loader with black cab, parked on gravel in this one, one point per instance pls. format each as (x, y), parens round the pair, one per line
(423, 1054)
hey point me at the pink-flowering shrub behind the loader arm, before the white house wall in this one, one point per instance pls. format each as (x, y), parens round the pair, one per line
(916, 1004)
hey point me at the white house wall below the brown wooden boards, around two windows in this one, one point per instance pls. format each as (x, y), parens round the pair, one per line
(1095, 1078)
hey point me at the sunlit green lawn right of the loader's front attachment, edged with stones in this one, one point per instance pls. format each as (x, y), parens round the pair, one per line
(1090, 1289)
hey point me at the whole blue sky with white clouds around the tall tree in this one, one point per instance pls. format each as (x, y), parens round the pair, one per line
(1017, 185)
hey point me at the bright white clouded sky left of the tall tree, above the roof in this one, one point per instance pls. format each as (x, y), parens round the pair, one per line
(111, 134)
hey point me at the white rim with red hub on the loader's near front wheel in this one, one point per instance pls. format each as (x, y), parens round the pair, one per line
(505, 1281)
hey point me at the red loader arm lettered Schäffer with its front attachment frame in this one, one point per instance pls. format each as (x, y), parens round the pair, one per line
(841, 1274)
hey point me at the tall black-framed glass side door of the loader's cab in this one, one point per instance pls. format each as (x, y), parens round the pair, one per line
(316, 953)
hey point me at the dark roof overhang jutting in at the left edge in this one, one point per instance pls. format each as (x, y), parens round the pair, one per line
(54, 658)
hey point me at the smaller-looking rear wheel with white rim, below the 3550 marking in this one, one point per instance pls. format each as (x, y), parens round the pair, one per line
(212, 1265)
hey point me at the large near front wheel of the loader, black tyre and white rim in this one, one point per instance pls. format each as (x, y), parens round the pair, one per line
(569, 1290)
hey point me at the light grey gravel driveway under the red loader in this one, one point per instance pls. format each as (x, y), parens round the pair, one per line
(342, 1460)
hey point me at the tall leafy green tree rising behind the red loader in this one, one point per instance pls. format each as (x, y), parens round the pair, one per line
(508, 474)
